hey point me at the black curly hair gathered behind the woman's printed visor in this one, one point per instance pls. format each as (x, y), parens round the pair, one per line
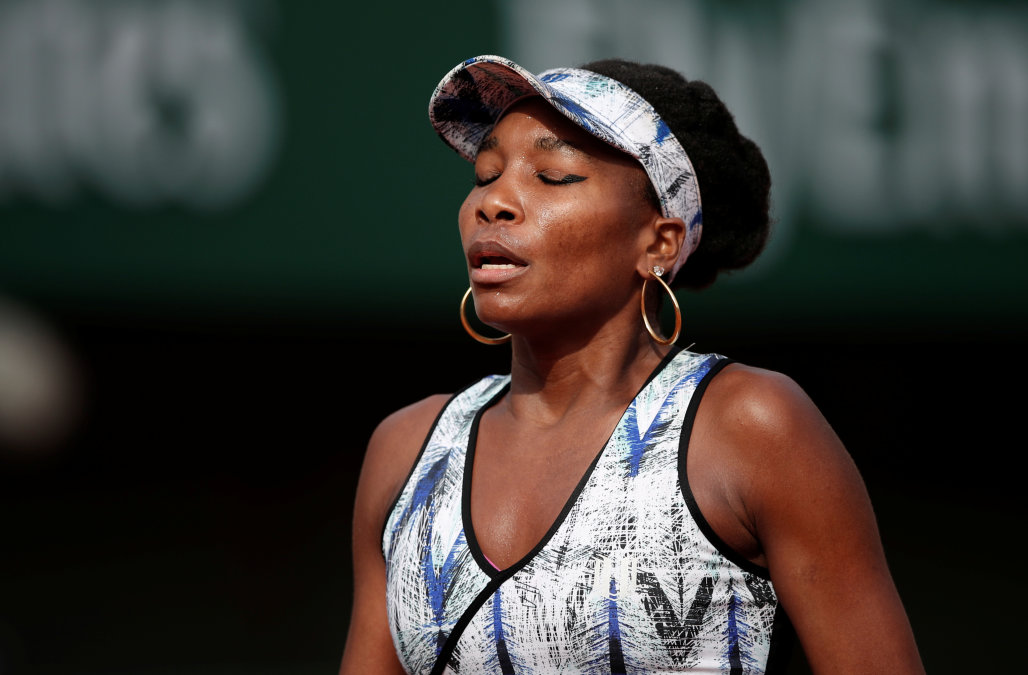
(736, 183)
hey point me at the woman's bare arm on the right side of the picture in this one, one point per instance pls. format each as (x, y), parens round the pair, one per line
(810, 510)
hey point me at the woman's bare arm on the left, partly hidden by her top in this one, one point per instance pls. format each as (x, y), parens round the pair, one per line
(392, 452)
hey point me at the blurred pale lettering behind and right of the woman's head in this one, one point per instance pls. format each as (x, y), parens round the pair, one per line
(875, 118)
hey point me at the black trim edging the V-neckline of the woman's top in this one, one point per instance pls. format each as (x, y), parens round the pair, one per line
(472, 540)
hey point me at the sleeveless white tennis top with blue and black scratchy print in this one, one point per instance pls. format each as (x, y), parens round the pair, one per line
(627, 582)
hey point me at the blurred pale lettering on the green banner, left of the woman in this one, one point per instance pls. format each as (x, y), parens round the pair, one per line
(149, 102)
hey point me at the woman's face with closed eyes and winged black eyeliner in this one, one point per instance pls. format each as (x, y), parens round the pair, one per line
(557, 226)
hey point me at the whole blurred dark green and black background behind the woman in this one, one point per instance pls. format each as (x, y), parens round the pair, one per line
(229, 249)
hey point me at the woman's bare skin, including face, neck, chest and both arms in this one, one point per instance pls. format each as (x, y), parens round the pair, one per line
(559, 239)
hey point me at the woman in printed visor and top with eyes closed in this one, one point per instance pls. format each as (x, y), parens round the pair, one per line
(615, 505)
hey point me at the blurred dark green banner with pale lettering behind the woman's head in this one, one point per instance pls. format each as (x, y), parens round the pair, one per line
(188, 159)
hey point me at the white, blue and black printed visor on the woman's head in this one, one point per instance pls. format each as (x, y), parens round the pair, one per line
(471, 98)
